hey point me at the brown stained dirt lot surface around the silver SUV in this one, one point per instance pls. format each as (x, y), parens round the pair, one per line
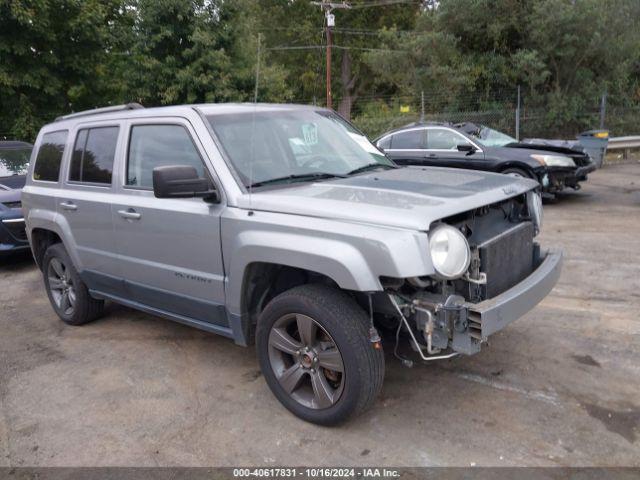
(559, 387)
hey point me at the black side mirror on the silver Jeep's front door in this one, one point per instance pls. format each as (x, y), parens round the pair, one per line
(182, 181)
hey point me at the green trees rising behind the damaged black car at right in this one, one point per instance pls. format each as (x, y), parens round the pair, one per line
(467, 54)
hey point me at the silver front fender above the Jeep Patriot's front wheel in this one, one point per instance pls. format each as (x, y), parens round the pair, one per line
(352, 255)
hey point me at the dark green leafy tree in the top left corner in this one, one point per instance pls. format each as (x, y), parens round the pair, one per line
(53, 54)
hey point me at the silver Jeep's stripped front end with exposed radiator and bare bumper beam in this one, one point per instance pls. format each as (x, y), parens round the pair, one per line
(506, 276)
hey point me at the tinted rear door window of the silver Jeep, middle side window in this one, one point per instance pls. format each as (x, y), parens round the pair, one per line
(93, 154)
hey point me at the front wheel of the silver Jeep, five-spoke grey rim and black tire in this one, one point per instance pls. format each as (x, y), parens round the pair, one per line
(315, 354)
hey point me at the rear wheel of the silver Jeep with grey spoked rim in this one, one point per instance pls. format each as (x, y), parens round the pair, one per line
(67, 293)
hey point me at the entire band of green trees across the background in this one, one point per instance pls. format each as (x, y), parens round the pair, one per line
(58, 56)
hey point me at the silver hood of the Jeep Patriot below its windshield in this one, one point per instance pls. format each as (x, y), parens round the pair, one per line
(410, 197)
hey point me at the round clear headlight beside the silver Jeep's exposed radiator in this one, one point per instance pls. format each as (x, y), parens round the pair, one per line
(450, 252)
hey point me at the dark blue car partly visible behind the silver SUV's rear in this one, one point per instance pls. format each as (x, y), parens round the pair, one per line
(14, 159)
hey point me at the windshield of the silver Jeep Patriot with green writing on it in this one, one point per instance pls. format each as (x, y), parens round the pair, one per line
(294, 145)
